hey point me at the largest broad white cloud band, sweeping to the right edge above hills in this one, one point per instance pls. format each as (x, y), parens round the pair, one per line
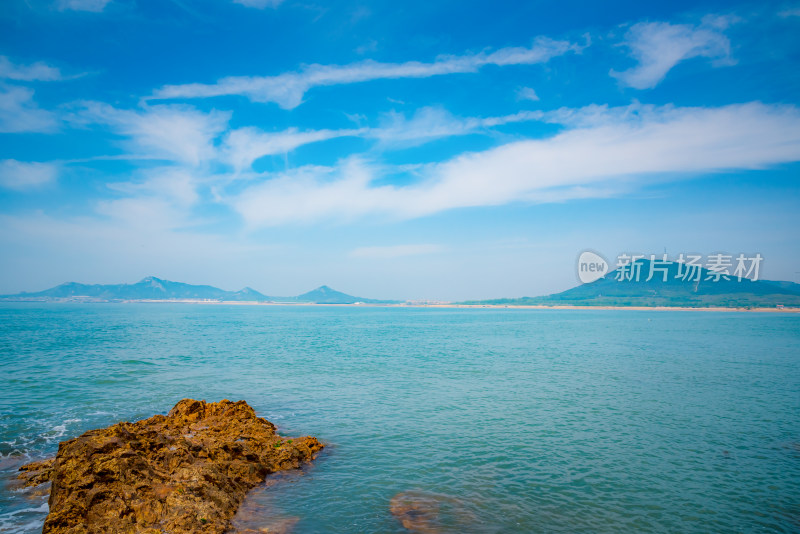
(603, 150)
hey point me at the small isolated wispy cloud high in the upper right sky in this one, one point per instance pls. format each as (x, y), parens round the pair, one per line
(659, 46)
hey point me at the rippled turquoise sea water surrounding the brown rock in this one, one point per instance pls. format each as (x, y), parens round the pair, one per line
(513, 420)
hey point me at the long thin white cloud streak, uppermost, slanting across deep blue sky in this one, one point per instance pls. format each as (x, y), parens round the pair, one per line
(287, 90)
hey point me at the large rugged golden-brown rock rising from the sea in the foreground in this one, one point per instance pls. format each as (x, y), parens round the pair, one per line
(184, 472)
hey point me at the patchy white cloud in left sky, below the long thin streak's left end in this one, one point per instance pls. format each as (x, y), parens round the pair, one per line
(176, 133)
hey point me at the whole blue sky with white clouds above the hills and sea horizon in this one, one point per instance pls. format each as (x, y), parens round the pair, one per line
(414, 150)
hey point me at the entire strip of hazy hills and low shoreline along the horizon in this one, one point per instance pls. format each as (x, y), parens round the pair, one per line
(669, 288)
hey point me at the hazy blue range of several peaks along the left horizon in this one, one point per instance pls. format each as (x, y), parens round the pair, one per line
(152, 288)
